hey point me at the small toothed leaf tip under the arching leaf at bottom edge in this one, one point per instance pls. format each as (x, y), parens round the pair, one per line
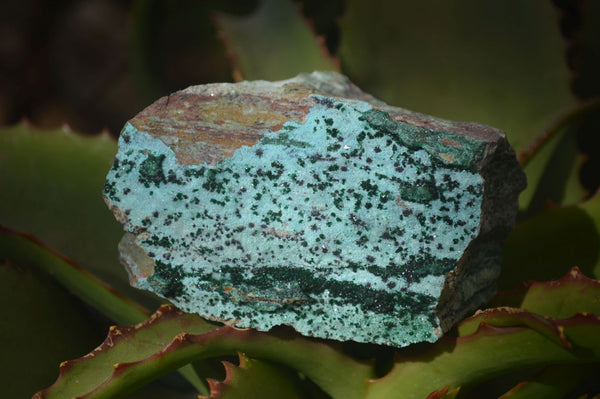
(255, 378)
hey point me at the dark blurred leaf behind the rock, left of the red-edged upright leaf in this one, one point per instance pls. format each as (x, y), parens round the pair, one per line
(174, 44)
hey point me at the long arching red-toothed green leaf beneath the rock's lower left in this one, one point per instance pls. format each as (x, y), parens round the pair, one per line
(132, 356)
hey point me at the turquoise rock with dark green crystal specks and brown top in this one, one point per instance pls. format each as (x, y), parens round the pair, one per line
(309, 203)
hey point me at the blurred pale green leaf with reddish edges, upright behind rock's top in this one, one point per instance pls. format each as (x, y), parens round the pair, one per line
(273, 43)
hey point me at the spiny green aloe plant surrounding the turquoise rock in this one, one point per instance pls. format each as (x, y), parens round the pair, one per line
(537, 338)
